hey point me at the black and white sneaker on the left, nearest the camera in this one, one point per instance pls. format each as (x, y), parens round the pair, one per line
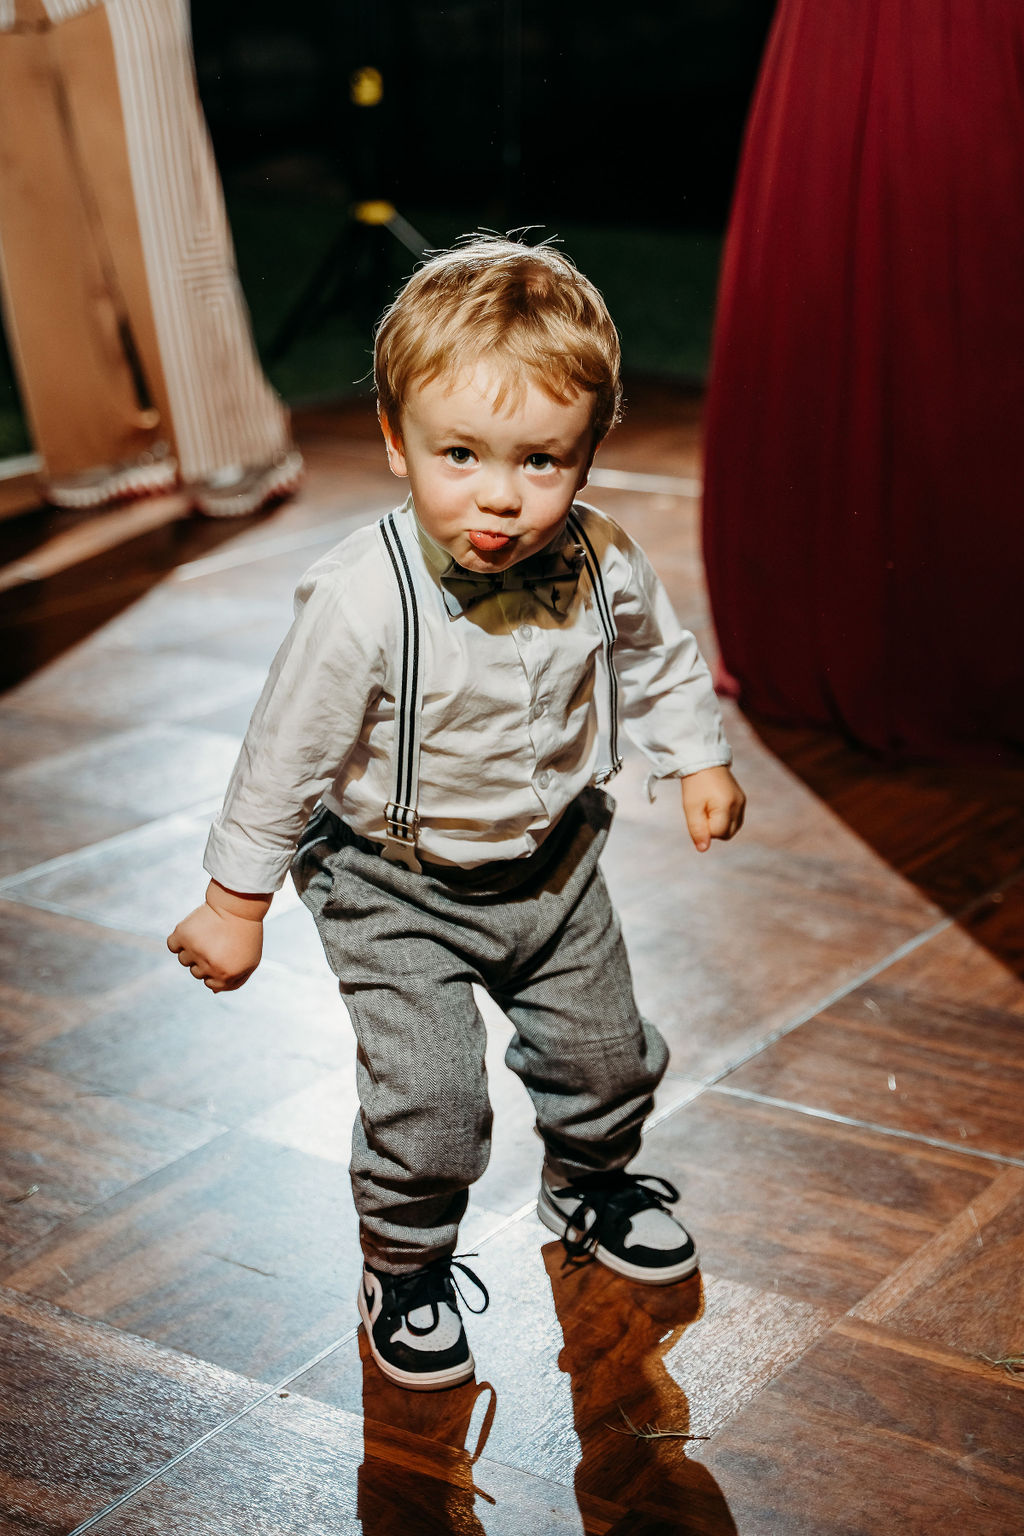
(414, 1325)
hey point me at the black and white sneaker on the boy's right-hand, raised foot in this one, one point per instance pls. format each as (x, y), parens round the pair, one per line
(624, 1222)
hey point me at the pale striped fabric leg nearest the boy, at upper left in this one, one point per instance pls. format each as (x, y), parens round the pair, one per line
(222, 408)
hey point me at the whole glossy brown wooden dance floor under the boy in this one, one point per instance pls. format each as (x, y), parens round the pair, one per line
(842, 990)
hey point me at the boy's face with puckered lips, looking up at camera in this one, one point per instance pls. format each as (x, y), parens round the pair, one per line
(492, 486)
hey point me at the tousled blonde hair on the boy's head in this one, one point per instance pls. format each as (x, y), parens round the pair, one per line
(521, 310)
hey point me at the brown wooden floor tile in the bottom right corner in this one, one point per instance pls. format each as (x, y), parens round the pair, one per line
(876, 1434)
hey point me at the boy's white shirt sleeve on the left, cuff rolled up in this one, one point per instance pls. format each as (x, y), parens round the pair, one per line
(303, 730)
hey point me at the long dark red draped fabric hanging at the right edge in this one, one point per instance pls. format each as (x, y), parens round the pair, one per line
(865, 429)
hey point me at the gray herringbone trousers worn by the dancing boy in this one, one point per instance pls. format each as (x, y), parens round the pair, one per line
(541, 936)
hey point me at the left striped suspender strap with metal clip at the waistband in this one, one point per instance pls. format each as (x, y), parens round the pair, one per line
(400, 815)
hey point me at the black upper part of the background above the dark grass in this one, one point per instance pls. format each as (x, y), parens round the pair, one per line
(532, 110)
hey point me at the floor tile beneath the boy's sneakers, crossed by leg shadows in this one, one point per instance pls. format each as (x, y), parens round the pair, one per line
(573, 1359)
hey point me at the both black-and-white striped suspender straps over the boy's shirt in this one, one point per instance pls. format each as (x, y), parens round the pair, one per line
(401, 816)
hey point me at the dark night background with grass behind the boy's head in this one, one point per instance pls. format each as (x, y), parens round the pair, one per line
(613, 127)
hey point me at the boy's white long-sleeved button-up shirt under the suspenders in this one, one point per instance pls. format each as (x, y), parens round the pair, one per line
(509, 723)
